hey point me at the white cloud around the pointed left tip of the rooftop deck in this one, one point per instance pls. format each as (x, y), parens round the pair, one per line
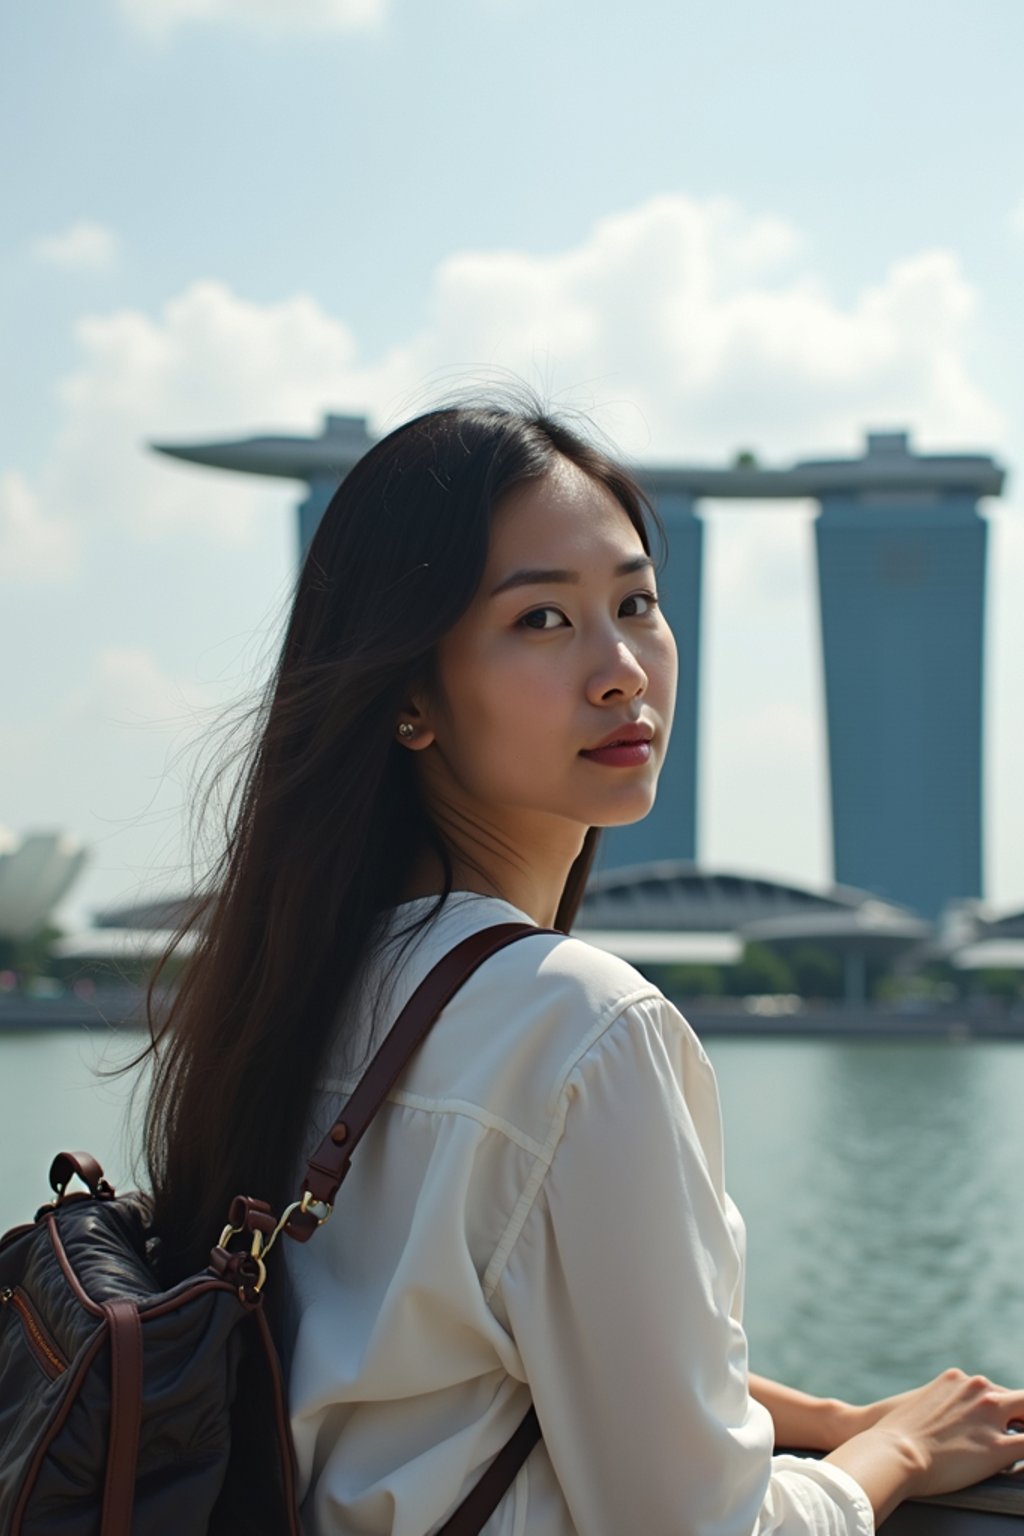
(208, 365)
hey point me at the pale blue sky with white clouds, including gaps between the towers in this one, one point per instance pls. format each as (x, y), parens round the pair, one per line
(710, 228)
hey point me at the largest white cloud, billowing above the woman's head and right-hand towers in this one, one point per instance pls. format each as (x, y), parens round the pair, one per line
(719, 333)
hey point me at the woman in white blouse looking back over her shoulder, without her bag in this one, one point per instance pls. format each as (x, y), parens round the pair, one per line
(477, 677)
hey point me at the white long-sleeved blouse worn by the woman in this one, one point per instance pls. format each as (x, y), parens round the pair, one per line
(537, 1214)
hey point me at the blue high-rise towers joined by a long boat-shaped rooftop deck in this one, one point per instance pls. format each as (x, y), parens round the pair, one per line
(902, 583)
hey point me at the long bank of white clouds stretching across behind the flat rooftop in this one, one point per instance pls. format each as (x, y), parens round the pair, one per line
(692, 328)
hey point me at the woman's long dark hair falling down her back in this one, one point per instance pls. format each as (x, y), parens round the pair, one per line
(328, 818)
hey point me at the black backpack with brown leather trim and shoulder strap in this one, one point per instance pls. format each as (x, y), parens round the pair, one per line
(128, 1409)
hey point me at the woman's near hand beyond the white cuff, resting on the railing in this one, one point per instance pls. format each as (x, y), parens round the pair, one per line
(942, 1437)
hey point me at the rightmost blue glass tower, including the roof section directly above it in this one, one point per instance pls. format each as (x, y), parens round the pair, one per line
(902, 571)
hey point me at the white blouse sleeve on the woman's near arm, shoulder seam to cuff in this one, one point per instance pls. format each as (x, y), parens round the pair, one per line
(623, 1291)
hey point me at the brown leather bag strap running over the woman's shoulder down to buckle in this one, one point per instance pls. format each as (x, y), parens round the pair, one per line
(331, 1160)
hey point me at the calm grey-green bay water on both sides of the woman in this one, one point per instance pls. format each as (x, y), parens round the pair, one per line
(880, 1183)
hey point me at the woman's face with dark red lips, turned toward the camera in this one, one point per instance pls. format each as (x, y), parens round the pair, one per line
(561, 655)
